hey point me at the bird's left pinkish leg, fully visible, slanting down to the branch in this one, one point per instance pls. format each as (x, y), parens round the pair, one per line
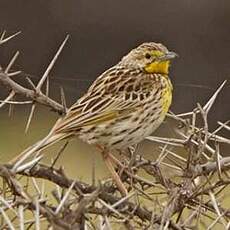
(108, 161)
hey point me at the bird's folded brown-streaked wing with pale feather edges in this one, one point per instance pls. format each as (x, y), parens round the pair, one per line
(115, 94)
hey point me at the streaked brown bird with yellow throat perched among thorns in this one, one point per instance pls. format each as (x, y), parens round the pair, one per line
(125, 104)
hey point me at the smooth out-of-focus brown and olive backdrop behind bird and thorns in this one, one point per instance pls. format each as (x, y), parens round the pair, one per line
(101, 32)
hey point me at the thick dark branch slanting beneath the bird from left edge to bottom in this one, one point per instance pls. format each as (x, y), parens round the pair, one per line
(103, 192)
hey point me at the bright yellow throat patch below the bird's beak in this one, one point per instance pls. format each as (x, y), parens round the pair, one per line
(161, 67)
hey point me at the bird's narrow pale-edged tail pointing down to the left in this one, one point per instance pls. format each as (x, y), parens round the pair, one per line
(49, 140)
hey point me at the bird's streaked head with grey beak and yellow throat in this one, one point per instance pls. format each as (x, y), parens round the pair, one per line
(151, 57)
